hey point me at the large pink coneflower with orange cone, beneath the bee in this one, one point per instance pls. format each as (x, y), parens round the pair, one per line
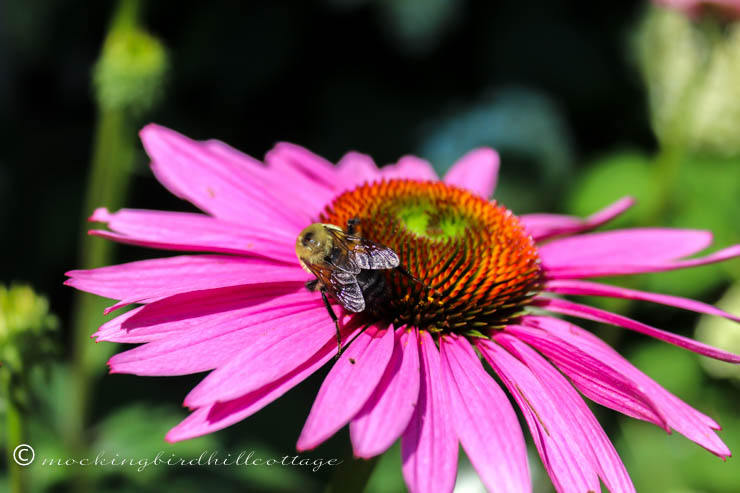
(486, 279)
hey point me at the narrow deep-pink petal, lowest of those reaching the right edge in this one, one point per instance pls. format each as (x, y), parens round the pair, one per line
(590, 313)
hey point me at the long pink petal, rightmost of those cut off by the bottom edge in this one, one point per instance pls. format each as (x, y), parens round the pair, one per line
(593, 441)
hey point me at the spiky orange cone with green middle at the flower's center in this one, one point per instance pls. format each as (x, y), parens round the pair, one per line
(475, 266)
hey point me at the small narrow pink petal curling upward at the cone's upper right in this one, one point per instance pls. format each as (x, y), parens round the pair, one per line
(543, 226)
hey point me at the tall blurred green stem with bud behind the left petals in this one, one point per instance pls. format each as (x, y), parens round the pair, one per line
(120, 76)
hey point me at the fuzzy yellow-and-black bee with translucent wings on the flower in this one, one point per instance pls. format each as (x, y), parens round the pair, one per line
(347, 267)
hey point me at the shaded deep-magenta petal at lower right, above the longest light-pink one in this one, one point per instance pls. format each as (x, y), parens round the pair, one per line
(596, 380)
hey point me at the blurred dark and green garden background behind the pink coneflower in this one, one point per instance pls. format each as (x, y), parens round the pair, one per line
(585, 101)
